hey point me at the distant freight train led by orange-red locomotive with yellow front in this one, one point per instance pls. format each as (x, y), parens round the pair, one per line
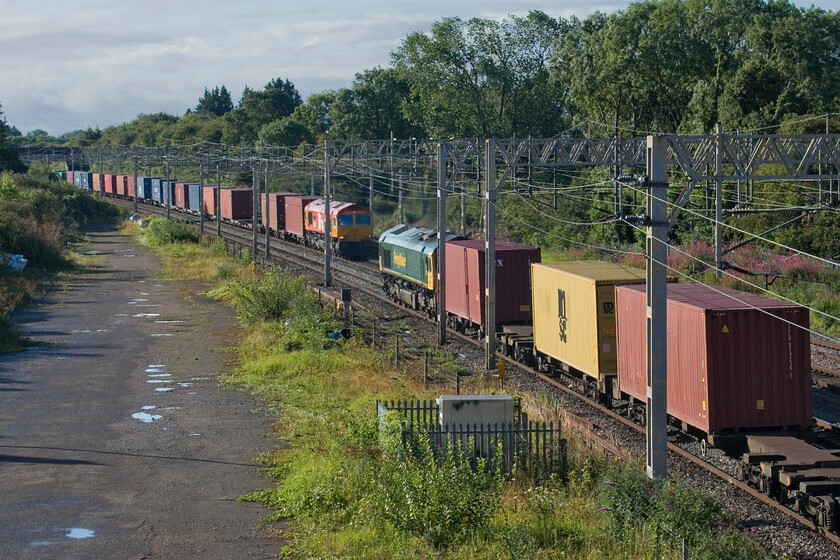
(289, 216)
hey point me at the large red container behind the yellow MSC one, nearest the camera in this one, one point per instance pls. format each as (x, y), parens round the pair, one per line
(735, 360)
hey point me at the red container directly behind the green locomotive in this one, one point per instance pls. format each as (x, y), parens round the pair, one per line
(465, 280)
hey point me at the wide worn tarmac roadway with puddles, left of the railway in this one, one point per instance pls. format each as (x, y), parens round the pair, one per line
(115, 438)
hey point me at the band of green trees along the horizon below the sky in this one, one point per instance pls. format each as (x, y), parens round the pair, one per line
(658, 66)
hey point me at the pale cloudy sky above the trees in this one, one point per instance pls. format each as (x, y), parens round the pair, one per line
(70, 64)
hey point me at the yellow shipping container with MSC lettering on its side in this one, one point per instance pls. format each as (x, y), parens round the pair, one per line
(574, 315)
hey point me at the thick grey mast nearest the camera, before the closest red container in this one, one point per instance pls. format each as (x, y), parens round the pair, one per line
(657, 254)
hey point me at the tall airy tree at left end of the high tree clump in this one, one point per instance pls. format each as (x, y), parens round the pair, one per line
(483, 77)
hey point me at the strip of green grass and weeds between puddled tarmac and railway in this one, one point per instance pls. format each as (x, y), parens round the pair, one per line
(343, 487)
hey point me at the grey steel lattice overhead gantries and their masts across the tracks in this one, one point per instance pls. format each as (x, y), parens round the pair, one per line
(683, 159)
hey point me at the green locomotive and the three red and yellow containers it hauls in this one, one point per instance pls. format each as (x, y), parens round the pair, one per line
(735, 360)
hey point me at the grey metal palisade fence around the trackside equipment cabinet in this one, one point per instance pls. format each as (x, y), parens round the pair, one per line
(522, 444)
